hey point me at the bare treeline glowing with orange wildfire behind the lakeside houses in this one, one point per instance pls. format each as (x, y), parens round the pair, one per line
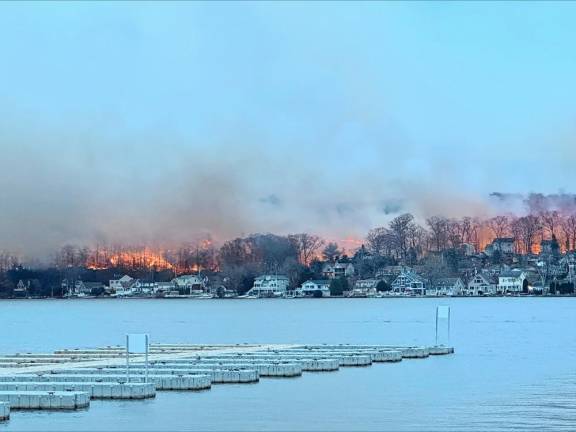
(404, 240)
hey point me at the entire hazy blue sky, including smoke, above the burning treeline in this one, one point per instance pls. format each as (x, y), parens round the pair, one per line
(159, 120)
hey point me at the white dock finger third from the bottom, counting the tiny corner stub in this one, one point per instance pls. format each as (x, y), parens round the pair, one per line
(95, 390)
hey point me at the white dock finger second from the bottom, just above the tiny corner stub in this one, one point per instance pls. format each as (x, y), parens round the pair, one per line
(50, 400)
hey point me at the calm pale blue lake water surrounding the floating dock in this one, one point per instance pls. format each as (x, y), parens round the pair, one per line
(514, 367)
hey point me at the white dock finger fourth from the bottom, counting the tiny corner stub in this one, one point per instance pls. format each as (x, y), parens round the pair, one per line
(161, 382)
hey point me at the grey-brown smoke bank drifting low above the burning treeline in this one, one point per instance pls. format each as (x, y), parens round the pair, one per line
(85, 188)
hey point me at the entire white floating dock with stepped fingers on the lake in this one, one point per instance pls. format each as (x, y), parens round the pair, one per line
(68, 379)
